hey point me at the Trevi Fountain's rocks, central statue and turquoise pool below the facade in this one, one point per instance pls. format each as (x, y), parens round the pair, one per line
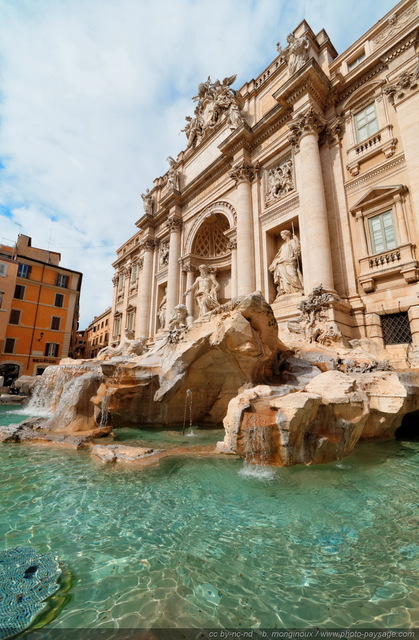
(220, 477)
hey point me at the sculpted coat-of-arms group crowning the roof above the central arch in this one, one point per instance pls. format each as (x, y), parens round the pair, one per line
(214, 100)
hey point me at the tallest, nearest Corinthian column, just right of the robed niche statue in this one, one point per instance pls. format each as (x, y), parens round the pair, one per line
(314, 225)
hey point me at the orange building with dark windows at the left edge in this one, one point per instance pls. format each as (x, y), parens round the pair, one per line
(42, 312)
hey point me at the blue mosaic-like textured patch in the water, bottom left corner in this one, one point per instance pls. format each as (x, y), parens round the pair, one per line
(27, 579)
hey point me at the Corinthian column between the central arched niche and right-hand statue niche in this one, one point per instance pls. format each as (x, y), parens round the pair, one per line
(244, 174)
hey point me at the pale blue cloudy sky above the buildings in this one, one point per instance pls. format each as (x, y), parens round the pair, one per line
(93, 95)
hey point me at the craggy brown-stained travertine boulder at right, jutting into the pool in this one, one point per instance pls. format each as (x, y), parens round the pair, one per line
(321, 423)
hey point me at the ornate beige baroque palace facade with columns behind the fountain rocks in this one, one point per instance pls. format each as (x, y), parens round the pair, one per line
(303, 180)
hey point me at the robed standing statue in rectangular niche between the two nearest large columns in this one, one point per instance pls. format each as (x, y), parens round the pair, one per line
(285, 266)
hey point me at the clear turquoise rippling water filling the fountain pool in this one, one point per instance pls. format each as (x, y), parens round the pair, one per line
(210, 543)
